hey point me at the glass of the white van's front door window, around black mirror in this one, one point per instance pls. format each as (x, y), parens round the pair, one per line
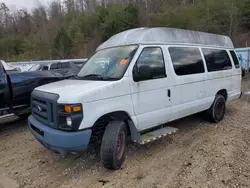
(153, 57)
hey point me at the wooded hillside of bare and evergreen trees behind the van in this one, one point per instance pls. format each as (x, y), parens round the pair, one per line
(74, 28)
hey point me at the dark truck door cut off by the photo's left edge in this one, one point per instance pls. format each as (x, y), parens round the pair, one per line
(4, 89)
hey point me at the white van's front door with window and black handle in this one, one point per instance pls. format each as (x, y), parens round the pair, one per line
(150, 94)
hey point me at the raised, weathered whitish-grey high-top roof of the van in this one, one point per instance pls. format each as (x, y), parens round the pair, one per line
(166, 36)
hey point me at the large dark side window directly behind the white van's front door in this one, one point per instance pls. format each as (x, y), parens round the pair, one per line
(186, 60)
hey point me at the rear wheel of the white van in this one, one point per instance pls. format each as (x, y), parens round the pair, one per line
(217, 111)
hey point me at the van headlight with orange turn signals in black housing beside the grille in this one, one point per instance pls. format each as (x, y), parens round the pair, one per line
(69, 116)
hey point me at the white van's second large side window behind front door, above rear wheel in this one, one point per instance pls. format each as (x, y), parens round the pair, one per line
(217, 60)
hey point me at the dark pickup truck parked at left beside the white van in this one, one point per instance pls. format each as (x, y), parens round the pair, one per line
(16, 87)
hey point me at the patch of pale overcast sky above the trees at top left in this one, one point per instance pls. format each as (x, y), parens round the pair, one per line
(28, 4)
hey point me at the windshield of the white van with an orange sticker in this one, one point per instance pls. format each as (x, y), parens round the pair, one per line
(108, 64)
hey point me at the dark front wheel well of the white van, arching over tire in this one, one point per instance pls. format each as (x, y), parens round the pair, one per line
(101, 124)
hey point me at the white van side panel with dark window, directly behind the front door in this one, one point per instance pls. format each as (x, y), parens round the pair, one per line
(189, 79)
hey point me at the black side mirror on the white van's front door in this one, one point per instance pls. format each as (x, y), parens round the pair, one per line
(144, 72)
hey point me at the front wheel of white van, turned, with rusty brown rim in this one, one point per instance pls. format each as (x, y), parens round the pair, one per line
(114, 143)
